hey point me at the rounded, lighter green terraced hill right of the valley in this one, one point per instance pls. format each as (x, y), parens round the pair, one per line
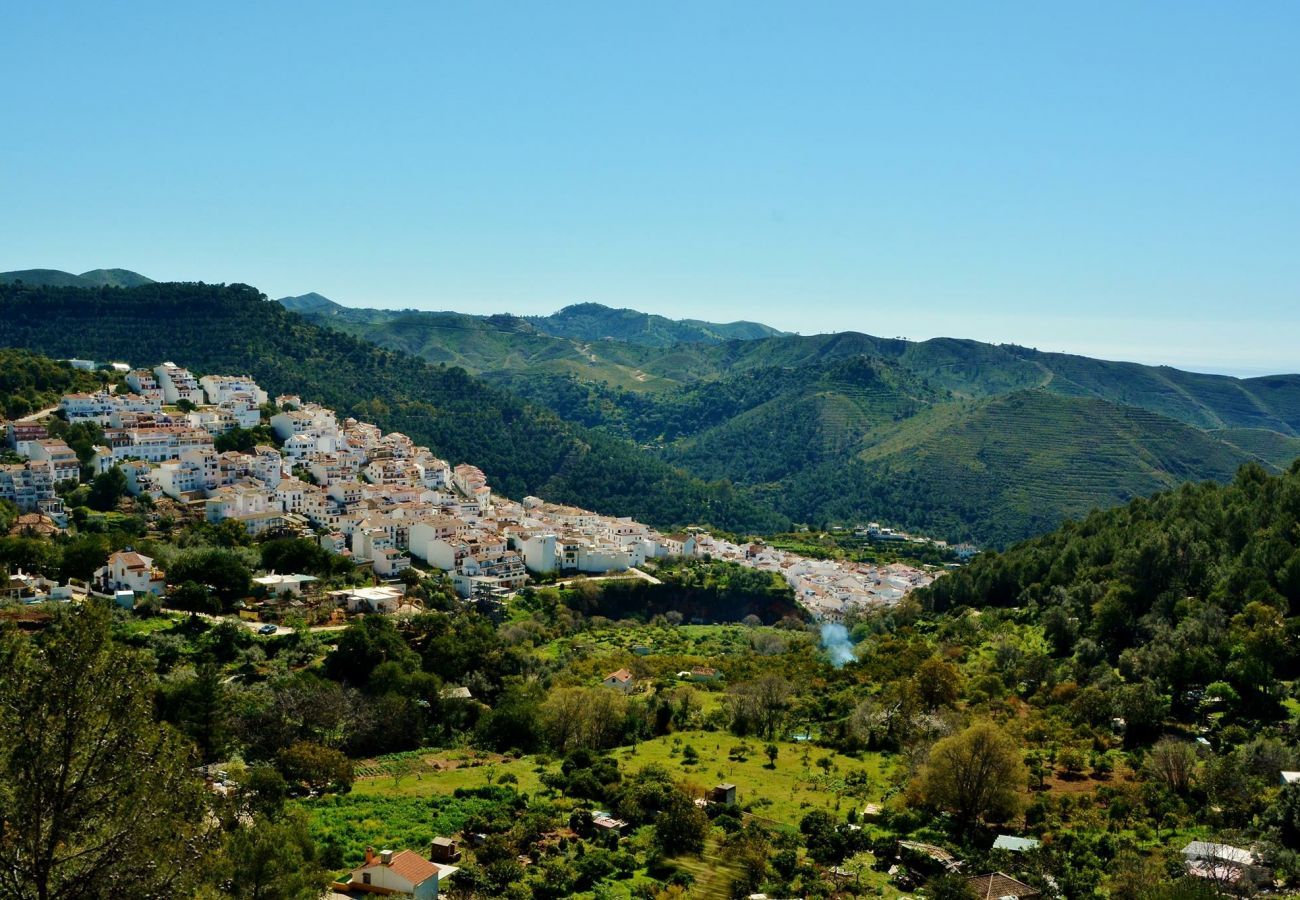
(1009, 468)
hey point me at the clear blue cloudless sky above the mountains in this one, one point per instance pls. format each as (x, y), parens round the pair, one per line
(1112, 179)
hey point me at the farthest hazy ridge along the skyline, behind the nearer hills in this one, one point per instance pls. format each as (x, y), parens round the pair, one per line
(967, 369)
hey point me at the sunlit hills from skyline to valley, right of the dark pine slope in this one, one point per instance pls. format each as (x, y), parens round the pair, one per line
(960, 439)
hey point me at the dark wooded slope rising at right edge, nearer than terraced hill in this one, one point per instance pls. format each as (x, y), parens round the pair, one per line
(1188, 589)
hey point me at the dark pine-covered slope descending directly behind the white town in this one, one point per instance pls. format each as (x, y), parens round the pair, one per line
(236, 330)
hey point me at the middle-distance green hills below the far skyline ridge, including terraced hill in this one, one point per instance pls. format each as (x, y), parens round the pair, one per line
(859, 439)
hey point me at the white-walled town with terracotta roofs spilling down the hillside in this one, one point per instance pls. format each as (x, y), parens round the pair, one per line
(378, 499)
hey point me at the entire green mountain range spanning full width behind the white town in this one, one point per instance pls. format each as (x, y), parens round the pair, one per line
(957, 439)
